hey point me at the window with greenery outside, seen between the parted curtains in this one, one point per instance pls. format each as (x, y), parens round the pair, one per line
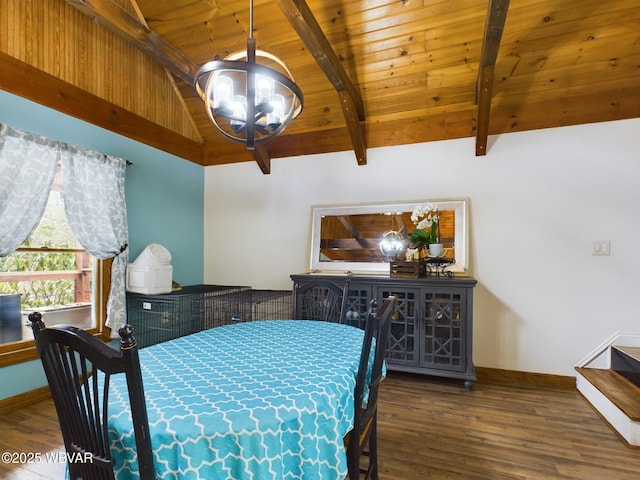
(53, 274)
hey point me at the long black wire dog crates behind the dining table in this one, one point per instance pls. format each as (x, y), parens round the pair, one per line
(158, 318)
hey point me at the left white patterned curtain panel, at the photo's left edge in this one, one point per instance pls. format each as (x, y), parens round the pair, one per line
(27, 168)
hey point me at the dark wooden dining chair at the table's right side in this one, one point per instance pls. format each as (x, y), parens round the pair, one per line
(362, 439)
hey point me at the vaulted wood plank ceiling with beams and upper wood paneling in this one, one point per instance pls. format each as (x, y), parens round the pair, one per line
(373, 72)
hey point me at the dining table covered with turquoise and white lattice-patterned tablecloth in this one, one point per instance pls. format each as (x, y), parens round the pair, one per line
(270, 399)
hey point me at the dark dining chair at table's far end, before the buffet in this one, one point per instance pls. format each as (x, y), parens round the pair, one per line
(320, 299)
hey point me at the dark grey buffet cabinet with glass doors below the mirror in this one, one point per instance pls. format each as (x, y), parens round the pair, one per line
(432, 331)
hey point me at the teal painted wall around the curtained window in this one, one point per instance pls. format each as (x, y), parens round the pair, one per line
(165, 203)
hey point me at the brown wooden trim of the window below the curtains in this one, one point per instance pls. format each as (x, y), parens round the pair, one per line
(25, 350)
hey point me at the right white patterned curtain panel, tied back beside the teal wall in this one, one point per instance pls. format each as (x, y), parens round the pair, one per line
(94, 204)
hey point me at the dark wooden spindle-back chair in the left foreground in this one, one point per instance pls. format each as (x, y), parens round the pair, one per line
(71, 358)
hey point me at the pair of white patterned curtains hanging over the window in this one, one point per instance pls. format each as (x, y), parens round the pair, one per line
(94, 202)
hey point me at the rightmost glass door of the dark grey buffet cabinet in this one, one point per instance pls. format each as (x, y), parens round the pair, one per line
(444, 337)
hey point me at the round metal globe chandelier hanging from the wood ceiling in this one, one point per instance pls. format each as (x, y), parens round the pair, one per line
(249, 102)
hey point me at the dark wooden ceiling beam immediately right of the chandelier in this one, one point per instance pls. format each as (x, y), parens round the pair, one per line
(304, 23)
